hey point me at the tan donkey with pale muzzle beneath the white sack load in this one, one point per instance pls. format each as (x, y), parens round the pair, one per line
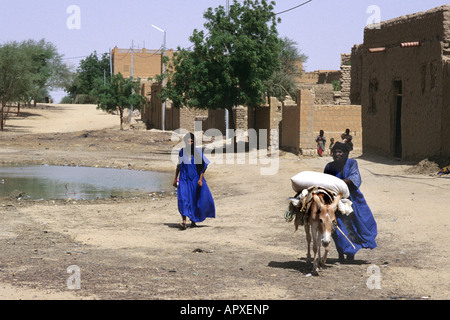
(319, 224)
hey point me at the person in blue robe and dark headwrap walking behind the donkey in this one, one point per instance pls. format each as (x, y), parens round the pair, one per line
(360, 226)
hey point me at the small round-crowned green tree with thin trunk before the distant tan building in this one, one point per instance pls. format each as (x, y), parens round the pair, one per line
(118, 93)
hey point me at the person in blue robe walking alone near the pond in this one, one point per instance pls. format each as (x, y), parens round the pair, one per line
(194, 197)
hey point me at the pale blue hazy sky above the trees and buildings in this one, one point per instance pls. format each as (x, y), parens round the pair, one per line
(323, 29)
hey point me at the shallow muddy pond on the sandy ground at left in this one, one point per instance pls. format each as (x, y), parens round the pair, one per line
(86, 183)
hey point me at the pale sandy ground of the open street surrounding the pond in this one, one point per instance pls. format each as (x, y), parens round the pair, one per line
(132, 248)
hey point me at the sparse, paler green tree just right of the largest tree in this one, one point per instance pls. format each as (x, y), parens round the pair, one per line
(282, 81)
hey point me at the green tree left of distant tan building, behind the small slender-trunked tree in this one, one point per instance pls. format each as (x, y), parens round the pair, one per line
(90, 70)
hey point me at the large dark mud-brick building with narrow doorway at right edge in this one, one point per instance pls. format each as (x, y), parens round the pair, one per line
(400, 75)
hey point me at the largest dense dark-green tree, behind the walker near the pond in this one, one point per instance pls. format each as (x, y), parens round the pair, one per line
(229, 64)
